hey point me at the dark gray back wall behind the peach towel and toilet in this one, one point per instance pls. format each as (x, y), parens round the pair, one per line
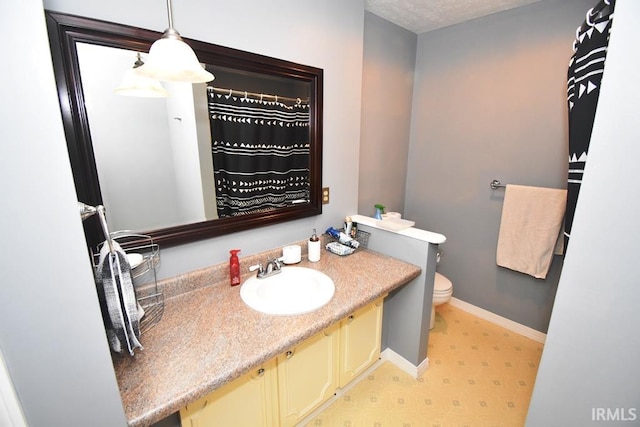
(490, 102)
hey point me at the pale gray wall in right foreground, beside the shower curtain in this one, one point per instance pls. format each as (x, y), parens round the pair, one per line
(593, 345)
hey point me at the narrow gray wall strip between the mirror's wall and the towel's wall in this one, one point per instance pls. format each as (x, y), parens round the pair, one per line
(387, 86)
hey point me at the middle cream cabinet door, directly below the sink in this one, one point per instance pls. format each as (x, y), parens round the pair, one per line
(308, 375)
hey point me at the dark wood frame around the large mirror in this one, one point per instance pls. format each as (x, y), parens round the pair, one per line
(67, 30)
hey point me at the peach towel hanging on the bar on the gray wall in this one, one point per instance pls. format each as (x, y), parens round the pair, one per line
(529, 228)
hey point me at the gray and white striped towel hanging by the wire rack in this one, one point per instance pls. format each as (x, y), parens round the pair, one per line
(118, 300)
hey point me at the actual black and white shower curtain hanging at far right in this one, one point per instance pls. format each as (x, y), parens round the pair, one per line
(586, 68)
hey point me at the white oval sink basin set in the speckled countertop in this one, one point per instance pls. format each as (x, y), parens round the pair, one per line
(295, 290)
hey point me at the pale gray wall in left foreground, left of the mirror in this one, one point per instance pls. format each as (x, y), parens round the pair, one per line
(51, 331)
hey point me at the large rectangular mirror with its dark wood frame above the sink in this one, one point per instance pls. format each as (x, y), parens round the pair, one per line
(156, 180)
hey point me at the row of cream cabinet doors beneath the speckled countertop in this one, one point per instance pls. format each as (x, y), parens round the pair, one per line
(284, 390)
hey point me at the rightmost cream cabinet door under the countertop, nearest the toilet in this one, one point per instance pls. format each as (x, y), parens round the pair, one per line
(360, 336)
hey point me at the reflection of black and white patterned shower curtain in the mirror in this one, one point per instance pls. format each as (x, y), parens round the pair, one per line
(260, 153)
